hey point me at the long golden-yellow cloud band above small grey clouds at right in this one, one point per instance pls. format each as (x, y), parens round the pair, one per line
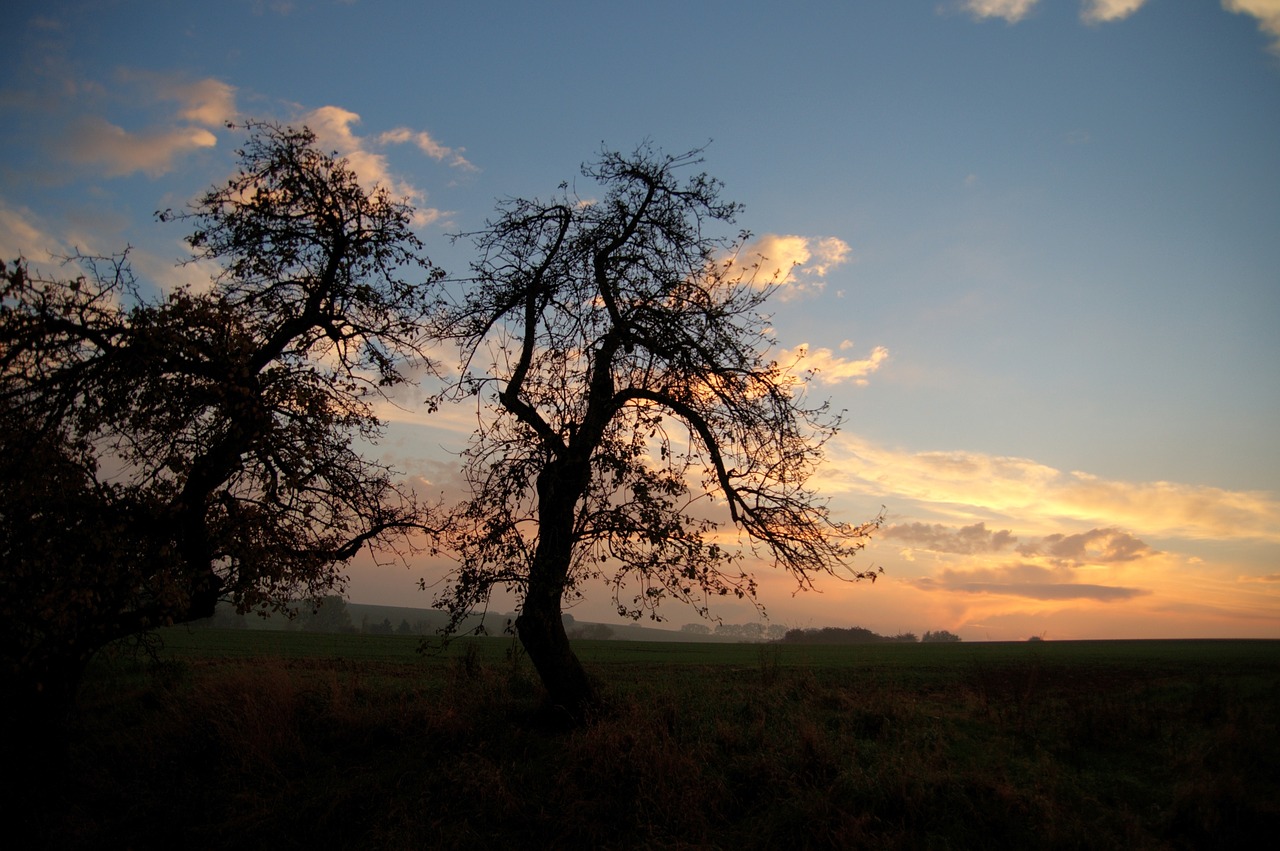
(970, 484)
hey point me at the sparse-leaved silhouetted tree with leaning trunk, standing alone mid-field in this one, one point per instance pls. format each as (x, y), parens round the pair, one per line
(621, 351)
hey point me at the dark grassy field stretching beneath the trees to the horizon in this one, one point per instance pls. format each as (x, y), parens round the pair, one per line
(243, 739)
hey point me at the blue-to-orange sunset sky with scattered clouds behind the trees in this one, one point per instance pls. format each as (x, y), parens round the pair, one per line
(1032, 246)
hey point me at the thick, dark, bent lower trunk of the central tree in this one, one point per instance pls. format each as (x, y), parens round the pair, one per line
(541, 626)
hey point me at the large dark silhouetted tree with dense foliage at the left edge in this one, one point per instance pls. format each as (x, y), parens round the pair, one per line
(162, 454)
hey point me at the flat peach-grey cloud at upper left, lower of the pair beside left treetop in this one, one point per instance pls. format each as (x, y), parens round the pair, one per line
(95, 141)
